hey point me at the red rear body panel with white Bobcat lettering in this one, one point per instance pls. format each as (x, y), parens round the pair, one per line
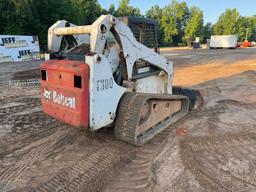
(60, 98)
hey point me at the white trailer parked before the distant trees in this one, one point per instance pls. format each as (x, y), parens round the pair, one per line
(223, 41)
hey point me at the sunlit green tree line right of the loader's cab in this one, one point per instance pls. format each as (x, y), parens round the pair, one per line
(180, 24)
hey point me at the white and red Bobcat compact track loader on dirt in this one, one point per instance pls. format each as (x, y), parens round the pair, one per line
(103, 74)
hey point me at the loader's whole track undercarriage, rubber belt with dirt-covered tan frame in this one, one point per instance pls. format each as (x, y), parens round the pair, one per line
(142, 116)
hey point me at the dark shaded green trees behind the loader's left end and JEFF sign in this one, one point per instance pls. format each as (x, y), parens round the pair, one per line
(33, 17)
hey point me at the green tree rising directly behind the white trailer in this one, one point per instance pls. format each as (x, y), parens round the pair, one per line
(227, 22)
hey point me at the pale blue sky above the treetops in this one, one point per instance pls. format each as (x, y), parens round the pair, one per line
(211, 8)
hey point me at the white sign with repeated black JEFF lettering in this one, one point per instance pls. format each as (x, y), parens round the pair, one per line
(19, 48)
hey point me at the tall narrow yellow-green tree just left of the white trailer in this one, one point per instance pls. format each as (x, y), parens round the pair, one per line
(194, 26)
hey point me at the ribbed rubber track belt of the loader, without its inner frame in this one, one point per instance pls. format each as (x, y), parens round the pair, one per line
(129, 116)
